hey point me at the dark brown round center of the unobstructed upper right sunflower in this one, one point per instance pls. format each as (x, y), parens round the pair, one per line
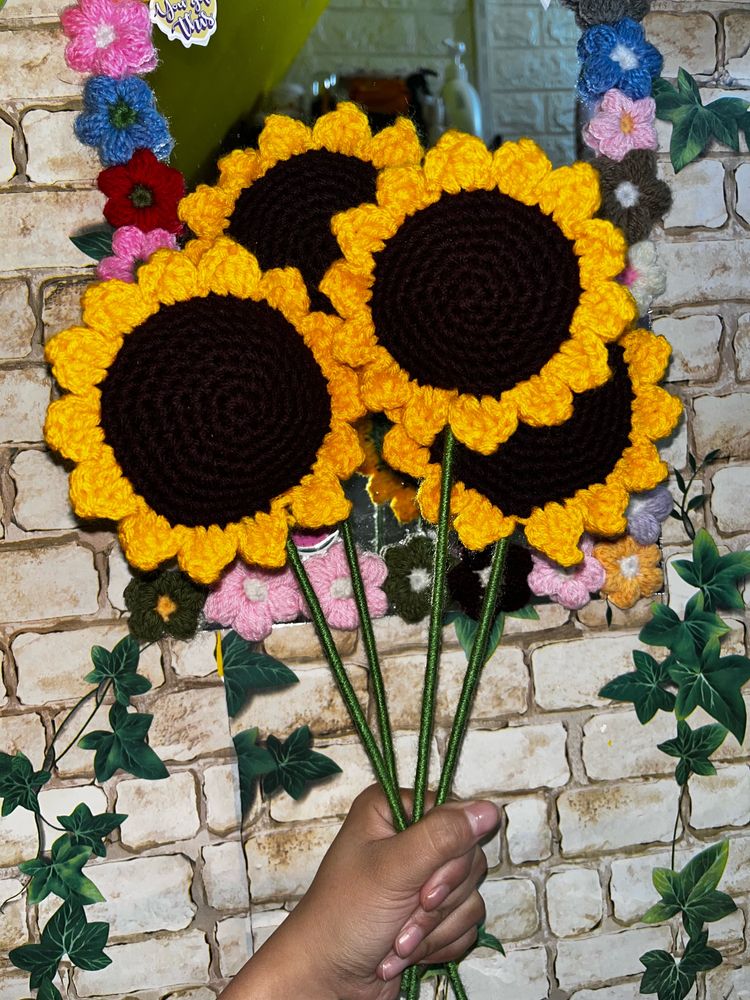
(475, 292)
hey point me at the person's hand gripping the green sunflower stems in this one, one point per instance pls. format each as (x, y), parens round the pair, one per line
(379, 902)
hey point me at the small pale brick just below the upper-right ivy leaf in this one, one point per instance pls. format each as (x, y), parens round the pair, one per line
(697, 194)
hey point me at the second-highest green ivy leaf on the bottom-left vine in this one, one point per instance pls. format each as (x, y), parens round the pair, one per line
(125, 747)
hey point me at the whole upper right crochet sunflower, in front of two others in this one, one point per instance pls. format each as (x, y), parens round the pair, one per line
(479, 291)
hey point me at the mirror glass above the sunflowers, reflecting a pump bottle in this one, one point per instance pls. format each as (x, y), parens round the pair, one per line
(301, 56)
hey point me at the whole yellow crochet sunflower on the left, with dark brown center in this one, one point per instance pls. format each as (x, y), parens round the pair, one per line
(205, 411)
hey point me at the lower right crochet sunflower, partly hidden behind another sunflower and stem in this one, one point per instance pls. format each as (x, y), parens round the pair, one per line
(559, 481)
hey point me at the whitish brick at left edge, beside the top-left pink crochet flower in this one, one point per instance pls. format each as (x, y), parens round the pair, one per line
(34, 66)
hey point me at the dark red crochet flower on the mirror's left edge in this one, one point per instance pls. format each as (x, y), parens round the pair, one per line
(142, 192)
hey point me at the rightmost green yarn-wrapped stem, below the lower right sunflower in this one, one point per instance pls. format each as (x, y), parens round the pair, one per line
(473, 670)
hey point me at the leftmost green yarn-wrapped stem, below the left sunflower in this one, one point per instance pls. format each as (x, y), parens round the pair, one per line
(345, 687)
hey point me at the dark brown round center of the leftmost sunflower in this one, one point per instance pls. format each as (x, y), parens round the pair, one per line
(213, 407)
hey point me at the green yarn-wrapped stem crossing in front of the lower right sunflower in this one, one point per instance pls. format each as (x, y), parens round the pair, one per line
(435, 634)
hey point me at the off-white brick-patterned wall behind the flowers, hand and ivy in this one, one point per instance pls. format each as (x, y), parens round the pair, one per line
(588, 803)
